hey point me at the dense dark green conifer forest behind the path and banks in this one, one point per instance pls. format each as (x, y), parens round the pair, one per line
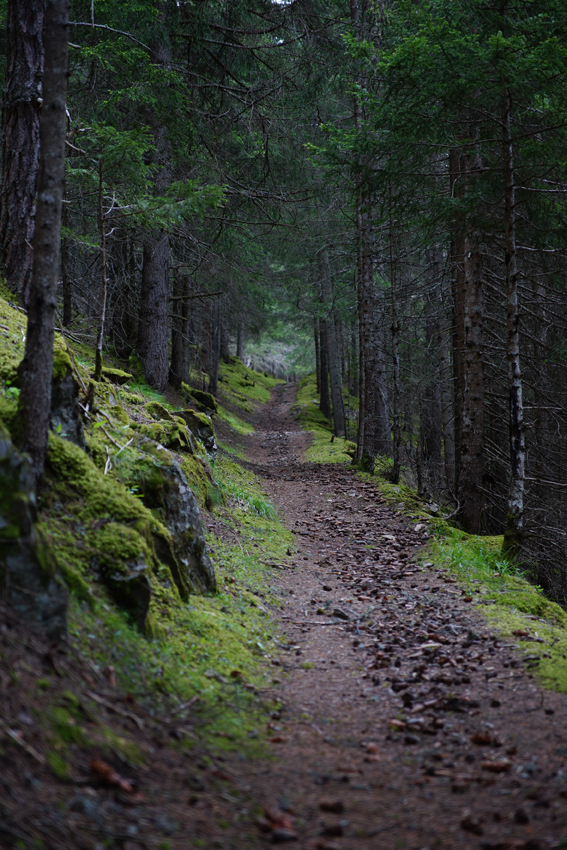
(376, 188)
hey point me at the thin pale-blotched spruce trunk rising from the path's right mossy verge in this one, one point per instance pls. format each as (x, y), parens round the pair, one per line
(513, 535)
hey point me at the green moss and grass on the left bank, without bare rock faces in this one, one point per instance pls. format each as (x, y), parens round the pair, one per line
(213, 649)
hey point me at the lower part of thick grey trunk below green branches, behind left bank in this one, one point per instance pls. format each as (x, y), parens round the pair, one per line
(152, 342)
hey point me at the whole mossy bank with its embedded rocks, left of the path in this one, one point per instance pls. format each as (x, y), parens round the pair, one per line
(104, 511)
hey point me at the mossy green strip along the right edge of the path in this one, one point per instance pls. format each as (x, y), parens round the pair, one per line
(501, 593)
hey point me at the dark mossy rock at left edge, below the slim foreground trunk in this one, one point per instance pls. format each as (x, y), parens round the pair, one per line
(28, 573)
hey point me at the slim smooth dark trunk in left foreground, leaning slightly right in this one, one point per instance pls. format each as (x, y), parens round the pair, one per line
(35, 397)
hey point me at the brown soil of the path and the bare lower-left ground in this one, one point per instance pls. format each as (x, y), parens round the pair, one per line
(405, 722)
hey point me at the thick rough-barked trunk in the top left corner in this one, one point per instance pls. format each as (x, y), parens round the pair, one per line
(20, 142)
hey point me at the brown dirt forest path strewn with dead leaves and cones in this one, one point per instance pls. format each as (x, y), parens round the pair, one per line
(406, 723)
